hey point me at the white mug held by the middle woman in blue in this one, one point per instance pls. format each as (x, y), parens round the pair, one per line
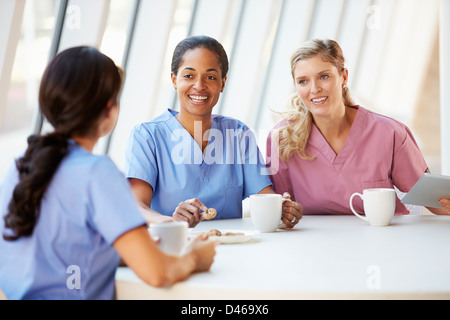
(266, 211)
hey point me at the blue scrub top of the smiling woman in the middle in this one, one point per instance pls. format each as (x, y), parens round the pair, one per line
(164, 154)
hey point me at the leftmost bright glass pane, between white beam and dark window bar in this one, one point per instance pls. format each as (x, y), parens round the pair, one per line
(30, 61)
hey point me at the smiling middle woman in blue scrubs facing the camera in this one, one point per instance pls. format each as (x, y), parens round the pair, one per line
(182, 163)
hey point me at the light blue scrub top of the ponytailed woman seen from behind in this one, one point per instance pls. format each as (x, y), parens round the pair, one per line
(70, 254)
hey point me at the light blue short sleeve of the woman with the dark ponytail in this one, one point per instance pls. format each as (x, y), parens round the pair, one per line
(113, 210)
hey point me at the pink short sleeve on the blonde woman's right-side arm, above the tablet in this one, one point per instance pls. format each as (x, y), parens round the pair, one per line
(408, 163)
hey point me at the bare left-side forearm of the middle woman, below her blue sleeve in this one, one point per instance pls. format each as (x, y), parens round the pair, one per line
(143, 193)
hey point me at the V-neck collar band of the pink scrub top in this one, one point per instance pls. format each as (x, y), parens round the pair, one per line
(318, 141)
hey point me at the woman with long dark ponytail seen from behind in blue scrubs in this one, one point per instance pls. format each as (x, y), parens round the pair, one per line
(67, 215)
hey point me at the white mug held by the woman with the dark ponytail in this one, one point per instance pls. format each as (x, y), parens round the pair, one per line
(172, 235)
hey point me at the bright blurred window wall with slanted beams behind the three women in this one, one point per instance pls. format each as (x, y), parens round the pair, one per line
(391, 49)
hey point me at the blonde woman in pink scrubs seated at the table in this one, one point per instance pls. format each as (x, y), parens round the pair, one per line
(327, 147)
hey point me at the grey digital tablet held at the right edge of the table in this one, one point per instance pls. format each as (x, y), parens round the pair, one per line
(428, 191)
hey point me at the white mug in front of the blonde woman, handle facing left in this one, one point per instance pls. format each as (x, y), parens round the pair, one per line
(379, 206)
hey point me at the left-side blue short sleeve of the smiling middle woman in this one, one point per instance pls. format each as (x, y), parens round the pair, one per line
(140, 156)
